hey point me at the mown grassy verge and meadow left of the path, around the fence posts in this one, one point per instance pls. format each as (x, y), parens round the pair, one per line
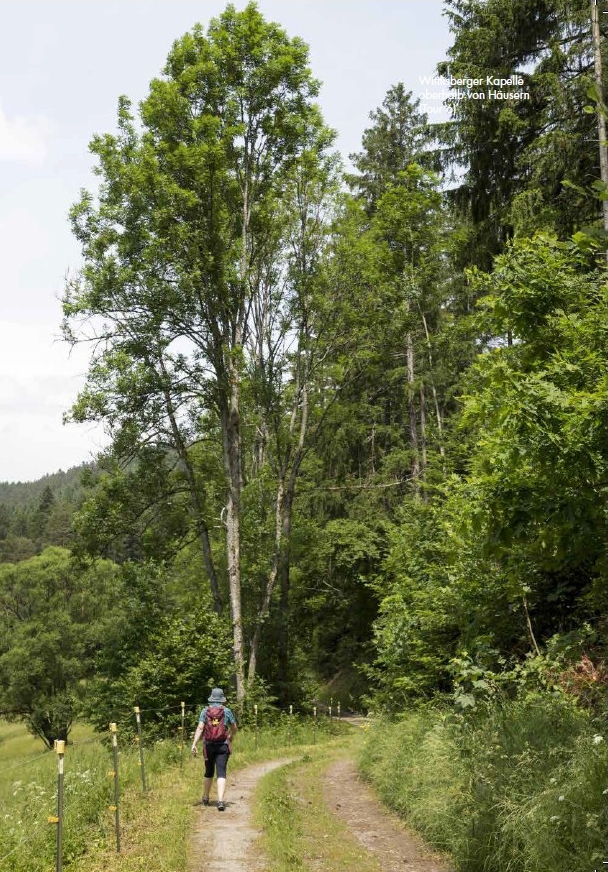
(155, 826)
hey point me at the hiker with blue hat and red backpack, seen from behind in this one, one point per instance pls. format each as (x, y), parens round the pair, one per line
(217, 726)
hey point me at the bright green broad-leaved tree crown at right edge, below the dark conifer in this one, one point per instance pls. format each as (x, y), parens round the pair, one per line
(539, 410)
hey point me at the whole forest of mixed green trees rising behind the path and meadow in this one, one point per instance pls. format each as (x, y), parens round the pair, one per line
(358, 418)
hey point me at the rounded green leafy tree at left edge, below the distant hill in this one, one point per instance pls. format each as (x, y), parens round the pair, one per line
(53, 618)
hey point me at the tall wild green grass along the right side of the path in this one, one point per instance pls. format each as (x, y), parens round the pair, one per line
(521, 786)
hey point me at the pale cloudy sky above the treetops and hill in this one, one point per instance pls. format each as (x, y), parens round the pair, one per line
(63, 65)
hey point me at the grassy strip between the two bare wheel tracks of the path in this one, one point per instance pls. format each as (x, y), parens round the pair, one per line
(299, 831)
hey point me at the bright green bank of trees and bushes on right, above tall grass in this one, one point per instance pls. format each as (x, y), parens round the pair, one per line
(513, 553)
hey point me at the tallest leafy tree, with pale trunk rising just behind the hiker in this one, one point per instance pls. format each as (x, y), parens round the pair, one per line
(177, 248)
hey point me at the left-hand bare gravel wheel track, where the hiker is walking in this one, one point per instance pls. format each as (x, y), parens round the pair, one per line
(222, 841)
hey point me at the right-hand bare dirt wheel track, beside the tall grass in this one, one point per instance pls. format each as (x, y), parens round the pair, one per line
(380, 832)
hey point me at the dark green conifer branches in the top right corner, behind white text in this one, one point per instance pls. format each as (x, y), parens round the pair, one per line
(517, 154)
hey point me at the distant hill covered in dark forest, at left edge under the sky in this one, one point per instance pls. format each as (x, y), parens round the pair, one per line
(35, 514)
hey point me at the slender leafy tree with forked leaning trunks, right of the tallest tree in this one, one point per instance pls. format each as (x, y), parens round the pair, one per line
(297, 332)
